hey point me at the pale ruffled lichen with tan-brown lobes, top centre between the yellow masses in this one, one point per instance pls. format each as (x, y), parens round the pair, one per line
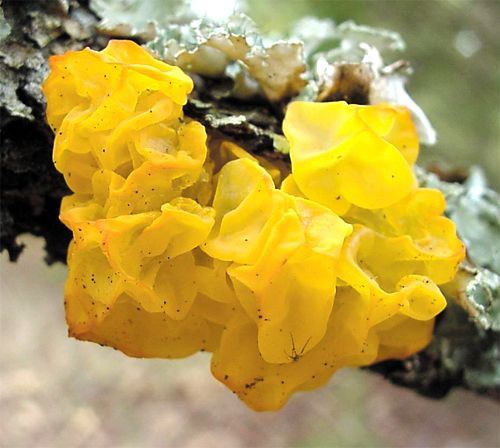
(234, 49)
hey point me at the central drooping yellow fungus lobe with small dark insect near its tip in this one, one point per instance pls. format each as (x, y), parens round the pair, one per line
(284, 252)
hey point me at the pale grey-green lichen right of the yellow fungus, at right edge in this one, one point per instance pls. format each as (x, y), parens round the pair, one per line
(475, 209)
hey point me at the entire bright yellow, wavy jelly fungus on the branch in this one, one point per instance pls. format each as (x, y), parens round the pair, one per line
(183, 243)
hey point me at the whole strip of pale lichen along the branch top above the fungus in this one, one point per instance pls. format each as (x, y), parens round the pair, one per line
(350, 68)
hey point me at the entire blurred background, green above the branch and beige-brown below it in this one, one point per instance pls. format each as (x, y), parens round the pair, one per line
(59, 392)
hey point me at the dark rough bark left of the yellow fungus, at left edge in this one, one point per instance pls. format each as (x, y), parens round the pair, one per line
(31, 189)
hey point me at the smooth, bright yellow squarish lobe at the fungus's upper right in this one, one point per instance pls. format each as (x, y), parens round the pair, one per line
(346, 155)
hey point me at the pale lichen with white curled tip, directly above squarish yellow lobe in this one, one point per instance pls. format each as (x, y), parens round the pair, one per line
(353, 69)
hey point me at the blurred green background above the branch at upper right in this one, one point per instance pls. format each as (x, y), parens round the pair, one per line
(454, 48)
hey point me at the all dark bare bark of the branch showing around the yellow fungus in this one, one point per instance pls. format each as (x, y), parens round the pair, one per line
(462, 354)
